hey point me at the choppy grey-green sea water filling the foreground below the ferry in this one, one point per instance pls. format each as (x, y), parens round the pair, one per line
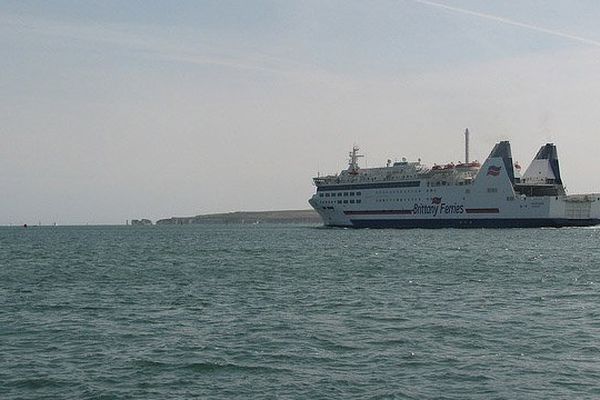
(290, 311)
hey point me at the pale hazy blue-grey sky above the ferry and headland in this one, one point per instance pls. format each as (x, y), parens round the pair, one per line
(112, 110)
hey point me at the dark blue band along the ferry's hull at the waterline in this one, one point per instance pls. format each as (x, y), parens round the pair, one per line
(473, 223)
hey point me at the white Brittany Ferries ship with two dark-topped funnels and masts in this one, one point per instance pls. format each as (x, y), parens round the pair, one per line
(409, 194)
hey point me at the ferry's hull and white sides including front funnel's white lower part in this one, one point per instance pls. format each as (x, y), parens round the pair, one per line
(490, 200)
